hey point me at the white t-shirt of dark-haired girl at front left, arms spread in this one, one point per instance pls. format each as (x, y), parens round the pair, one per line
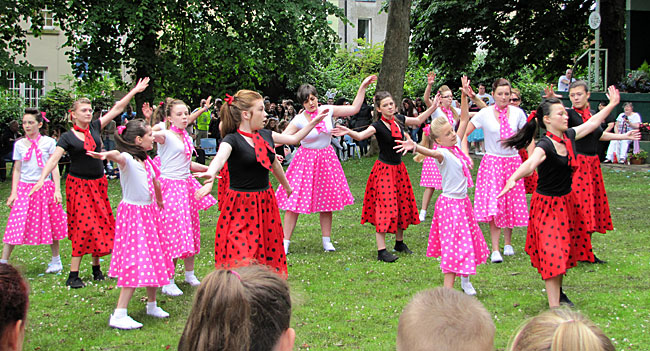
(135, 185)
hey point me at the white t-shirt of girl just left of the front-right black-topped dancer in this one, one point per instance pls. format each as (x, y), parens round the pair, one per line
(488, 121)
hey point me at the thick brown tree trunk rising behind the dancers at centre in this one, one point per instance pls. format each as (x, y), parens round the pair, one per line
(396, 49)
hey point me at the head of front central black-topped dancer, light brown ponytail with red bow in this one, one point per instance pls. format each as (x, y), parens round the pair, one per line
(231, 111)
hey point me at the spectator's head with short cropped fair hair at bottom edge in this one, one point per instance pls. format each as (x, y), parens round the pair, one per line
(445, 319)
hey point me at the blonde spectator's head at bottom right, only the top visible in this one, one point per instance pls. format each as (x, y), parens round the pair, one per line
(560, 329)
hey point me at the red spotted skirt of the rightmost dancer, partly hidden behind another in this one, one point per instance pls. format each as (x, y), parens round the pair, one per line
(589, 192)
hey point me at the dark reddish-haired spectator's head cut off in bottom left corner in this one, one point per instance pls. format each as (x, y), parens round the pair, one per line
(14, 300)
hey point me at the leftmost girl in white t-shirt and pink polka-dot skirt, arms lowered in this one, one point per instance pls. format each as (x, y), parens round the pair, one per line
(38, 219)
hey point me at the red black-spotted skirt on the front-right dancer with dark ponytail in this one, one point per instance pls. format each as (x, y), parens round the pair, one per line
(553, 242)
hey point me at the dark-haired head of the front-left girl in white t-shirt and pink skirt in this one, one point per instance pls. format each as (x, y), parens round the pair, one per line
(135, 138)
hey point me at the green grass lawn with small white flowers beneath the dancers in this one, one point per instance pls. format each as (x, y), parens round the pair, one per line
(347, 299)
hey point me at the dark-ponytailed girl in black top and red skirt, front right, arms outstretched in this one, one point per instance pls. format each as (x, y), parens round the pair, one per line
(554, 241)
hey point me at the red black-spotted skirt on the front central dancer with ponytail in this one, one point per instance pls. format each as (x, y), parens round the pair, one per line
(249, 230)
